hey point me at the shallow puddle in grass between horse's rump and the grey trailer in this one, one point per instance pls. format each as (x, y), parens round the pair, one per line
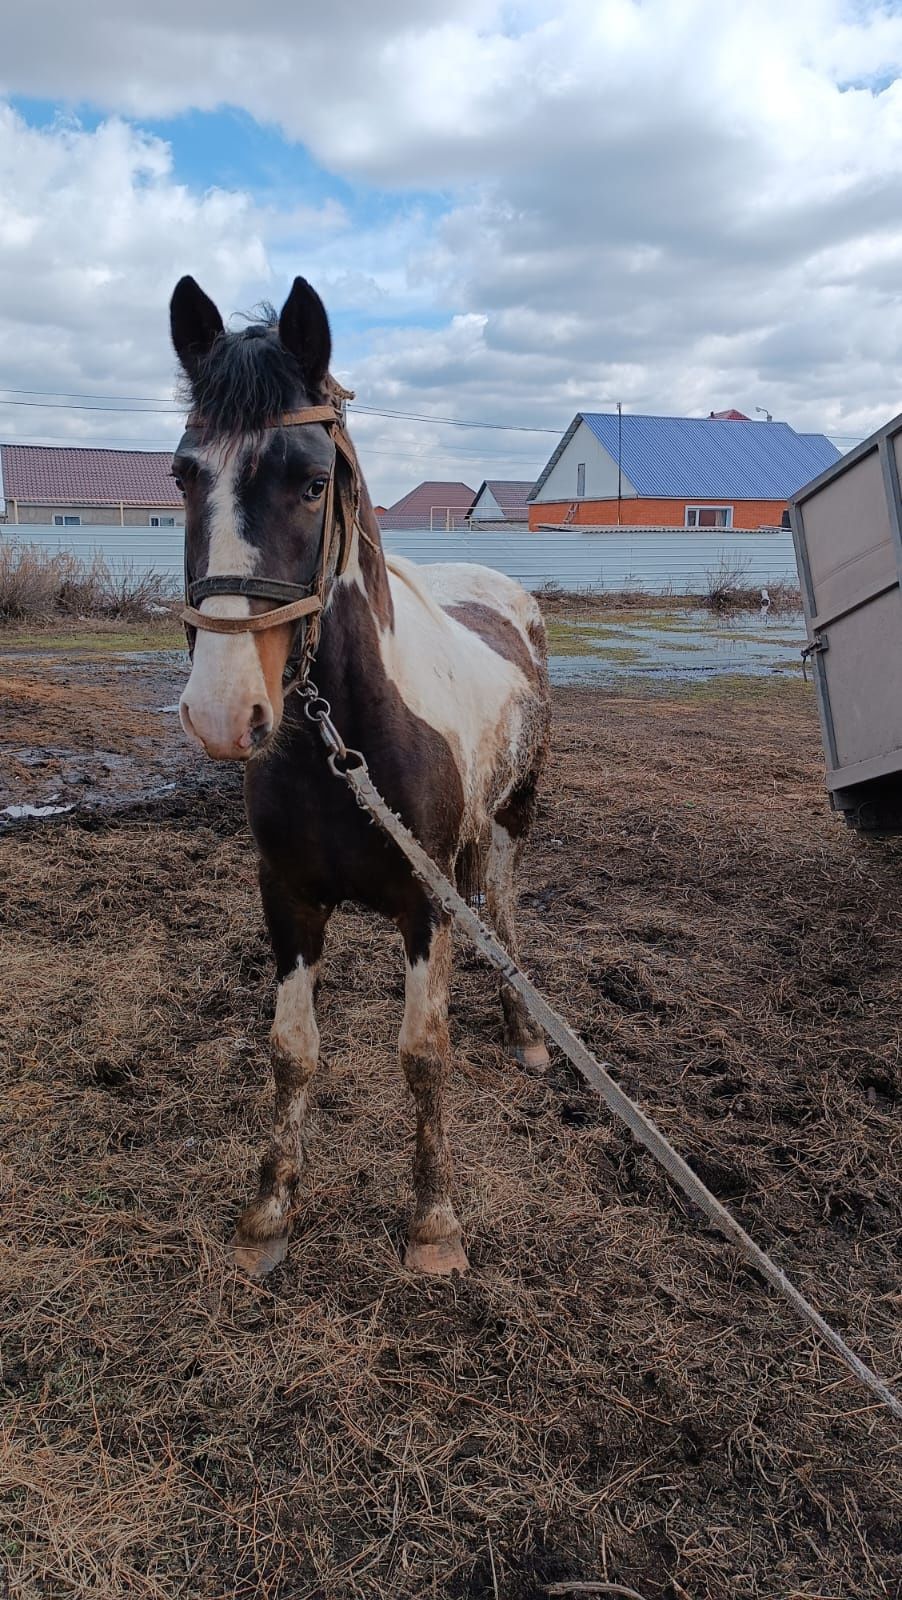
(673, 646)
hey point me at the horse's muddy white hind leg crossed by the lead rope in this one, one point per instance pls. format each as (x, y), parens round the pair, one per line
(522, 1036)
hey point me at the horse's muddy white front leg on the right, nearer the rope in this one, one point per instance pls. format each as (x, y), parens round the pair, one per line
(434, 1242)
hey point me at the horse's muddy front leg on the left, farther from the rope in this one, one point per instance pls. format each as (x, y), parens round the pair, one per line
(297, 932)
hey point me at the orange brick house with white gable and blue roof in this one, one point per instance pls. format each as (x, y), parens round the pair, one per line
(676, 473)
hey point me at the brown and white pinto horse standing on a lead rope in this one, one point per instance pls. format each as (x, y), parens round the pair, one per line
(437, 674)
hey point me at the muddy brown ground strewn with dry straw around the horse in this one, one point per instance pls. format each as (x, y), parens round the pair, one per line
(609, 1398)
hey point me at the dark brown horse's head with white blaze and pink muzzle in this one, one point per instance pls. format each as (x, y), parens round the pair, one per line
(258, 497)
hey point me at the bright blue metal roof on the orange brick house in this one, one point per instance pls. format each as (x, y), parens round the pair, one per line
(700, 458)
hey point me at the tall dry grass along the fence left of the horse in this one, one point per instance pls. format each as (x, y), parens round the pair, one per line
(38, 585)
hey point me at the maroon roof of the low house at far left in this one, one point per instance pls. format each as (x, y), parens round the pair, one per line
(74, 476)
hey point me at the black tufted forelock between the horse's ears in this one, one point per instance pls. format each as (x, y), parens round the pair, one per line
(247, 380)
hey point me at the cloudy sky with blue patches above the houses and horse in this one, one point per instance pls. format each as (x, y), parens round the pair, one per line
(514, 212)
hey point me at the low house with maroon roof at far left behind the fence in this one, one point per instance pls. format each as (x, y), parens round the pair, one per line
(71, 486)
